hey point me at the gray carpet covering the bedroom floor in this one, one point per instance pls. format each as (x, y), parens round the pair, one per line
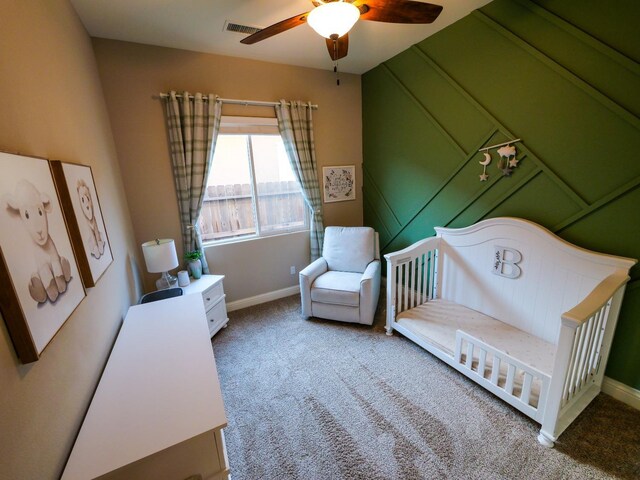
(316, 399)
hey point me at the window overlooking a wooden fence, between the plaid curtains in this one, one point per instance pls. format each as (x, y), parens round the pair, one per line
(251, 189)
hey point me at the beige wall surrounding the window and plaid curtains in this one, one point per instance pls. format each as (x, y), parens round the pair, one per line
(132, 74)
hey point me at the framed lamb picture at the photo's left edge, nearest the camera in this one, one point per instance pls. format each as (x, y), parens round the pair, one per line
(40, 281)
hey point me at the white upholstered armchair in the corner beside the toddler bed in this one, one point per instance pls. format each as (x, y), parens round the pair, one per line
(343, 284)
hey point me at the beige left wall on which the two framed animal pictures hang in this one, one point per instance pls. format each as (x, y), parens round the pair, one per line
(52, 106)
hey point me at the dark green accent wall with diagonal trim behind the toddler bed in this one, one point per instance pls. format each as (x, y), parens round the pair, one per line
(561, 75)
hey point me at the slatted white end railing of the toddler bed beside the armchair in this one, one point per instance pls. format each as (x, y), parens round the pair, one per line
(412, 277)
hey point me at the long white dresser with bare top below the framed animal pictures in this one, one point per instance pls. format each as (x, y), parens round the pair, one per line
(157, 412)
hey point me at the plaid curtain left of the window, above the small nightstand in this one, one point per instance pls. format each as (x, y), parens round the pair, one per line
(193, 125)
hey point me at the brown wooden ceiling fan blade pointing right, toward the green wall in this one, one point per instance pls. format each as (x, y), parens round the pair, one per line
(398, 11)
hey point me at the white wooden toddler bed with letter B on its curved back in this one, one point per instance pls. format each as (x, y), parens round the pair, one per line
(515, 308)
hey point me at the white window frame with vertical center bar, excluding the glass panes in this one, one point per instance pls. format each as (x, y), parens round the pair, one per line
(254, 126)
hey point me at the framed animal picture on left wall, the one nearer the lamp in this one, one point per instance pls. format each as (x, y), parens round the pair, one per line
(81, 208)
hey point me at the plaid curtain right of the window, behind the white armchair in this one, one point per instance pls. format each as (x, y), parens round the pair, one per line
(296, 128)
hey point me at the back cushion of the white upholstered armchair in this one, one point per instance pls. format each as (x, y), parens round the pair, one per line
(349, 249)
